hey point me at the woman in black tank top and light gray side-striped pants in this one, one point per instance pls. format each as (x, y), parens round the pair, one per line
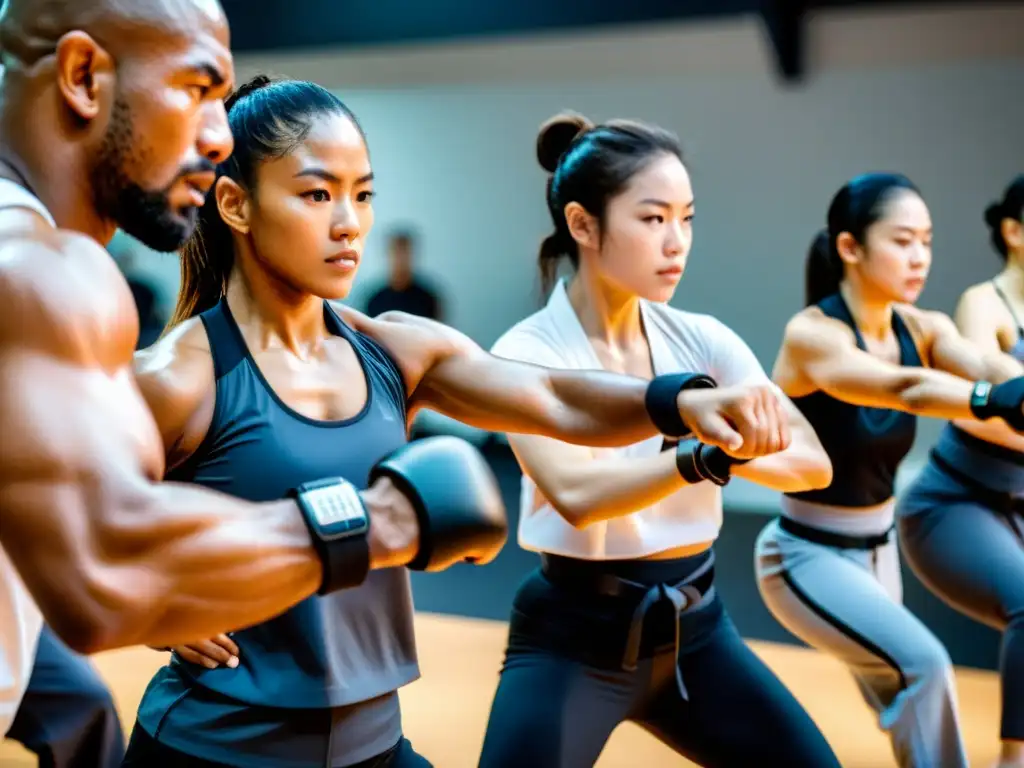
(862, 363)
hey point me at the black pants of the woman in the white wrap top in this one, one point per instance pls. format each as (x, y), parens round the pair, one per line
(564, 689)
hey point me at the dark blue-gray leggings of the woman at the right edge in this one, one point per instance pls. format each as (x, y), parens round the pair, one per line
(967, 545)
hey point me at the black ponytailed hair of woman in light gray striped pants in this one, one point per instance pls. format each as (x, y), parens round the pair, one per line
(856, 208)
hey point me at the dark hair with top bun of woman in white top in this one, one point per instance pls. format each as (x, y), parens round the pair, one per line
(590, 165)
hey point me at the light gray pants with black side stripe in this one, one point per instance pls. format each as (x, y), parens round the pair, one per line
(848, 604)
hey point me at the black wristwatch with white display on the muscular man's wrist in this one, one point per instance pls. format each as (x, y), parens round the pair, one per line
(339, 524)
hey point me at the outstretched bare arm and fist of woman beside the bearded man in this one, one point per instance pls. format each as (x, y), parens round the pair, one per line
(449, 373)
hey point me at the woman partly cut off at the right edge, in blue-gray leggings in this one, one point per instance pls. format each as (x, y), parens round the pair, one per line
(962, 521)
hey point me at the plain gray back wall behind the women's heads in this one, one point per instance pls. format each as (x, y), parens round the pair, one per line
(934, 94)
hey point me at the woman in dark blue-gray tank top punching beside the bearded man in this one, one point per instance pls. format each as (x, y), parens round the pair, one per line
(264, 386)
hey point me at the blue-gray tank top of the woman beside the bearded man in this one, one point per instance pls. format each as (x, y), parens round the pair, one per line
(326, 652)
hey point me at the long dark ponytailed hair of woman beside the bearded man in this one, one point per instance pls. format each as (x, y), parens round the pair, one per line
(269, 119)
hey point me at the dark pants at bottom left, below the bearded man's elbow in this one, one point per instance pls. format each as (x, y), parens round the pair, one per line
(68, 717)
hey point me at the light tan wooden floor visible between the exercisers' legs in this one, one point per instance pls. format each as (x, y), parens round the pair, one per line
(446, 711)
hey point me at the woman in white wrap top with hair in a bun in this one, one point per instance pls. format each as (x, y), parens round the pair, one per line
(622, 622)
